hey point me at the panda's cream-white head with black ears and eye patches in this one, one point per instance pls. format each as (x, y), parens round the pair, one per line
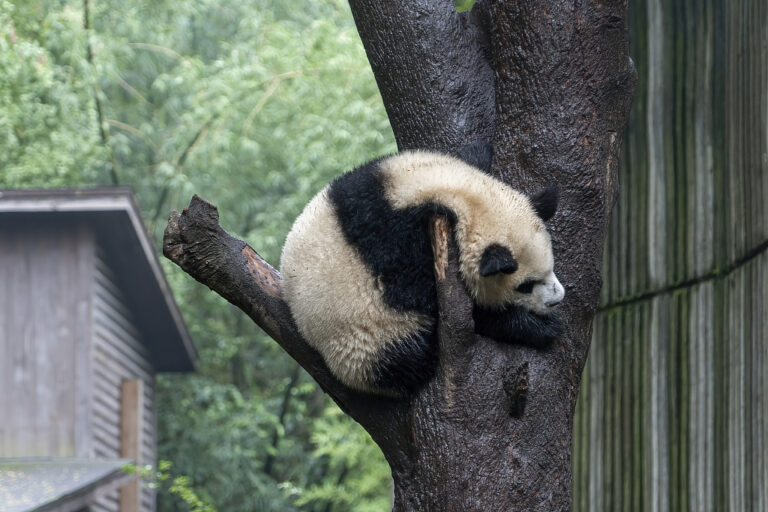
(514, 265)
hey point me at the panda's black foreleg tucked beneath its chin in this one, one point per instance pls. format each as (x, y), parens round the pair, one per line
(518, 325)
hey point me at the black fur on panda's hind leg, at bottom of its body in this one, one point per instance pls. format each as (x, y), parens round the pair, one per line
(404, 366)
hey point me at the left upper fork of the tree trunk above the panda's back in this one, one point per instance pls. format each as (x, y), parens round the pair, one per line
(432, 68)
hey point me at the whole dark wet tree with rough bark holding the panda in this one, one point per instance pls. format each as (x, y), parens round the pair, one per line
(549, 83)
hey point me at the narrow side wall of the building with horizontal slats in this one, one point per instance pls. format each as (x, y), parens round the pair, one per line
(118, 354)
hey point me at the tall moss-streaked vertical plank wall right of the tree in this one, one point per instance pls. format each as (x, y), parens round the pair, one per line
(672, 411)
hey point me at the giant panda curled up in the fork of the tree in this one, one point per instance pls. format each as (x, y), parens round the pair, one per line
(357, 266)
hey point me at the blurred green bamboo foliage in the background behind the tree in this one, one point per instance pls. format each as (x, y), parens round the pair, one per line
(254, 105)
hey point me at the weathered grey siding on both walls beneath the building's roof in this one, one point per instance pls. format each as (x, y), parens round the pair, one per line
(67, 341)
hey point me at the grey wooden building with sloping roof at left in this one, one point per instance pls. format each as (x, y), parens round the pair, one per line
(86, 321)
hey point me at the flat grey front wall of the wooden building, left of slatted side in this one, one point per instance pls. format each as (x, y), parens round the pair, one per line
(45, 303)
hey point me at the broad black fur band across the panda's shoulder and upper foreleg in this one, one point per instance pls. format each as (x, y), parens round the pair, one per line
(394, 244)
